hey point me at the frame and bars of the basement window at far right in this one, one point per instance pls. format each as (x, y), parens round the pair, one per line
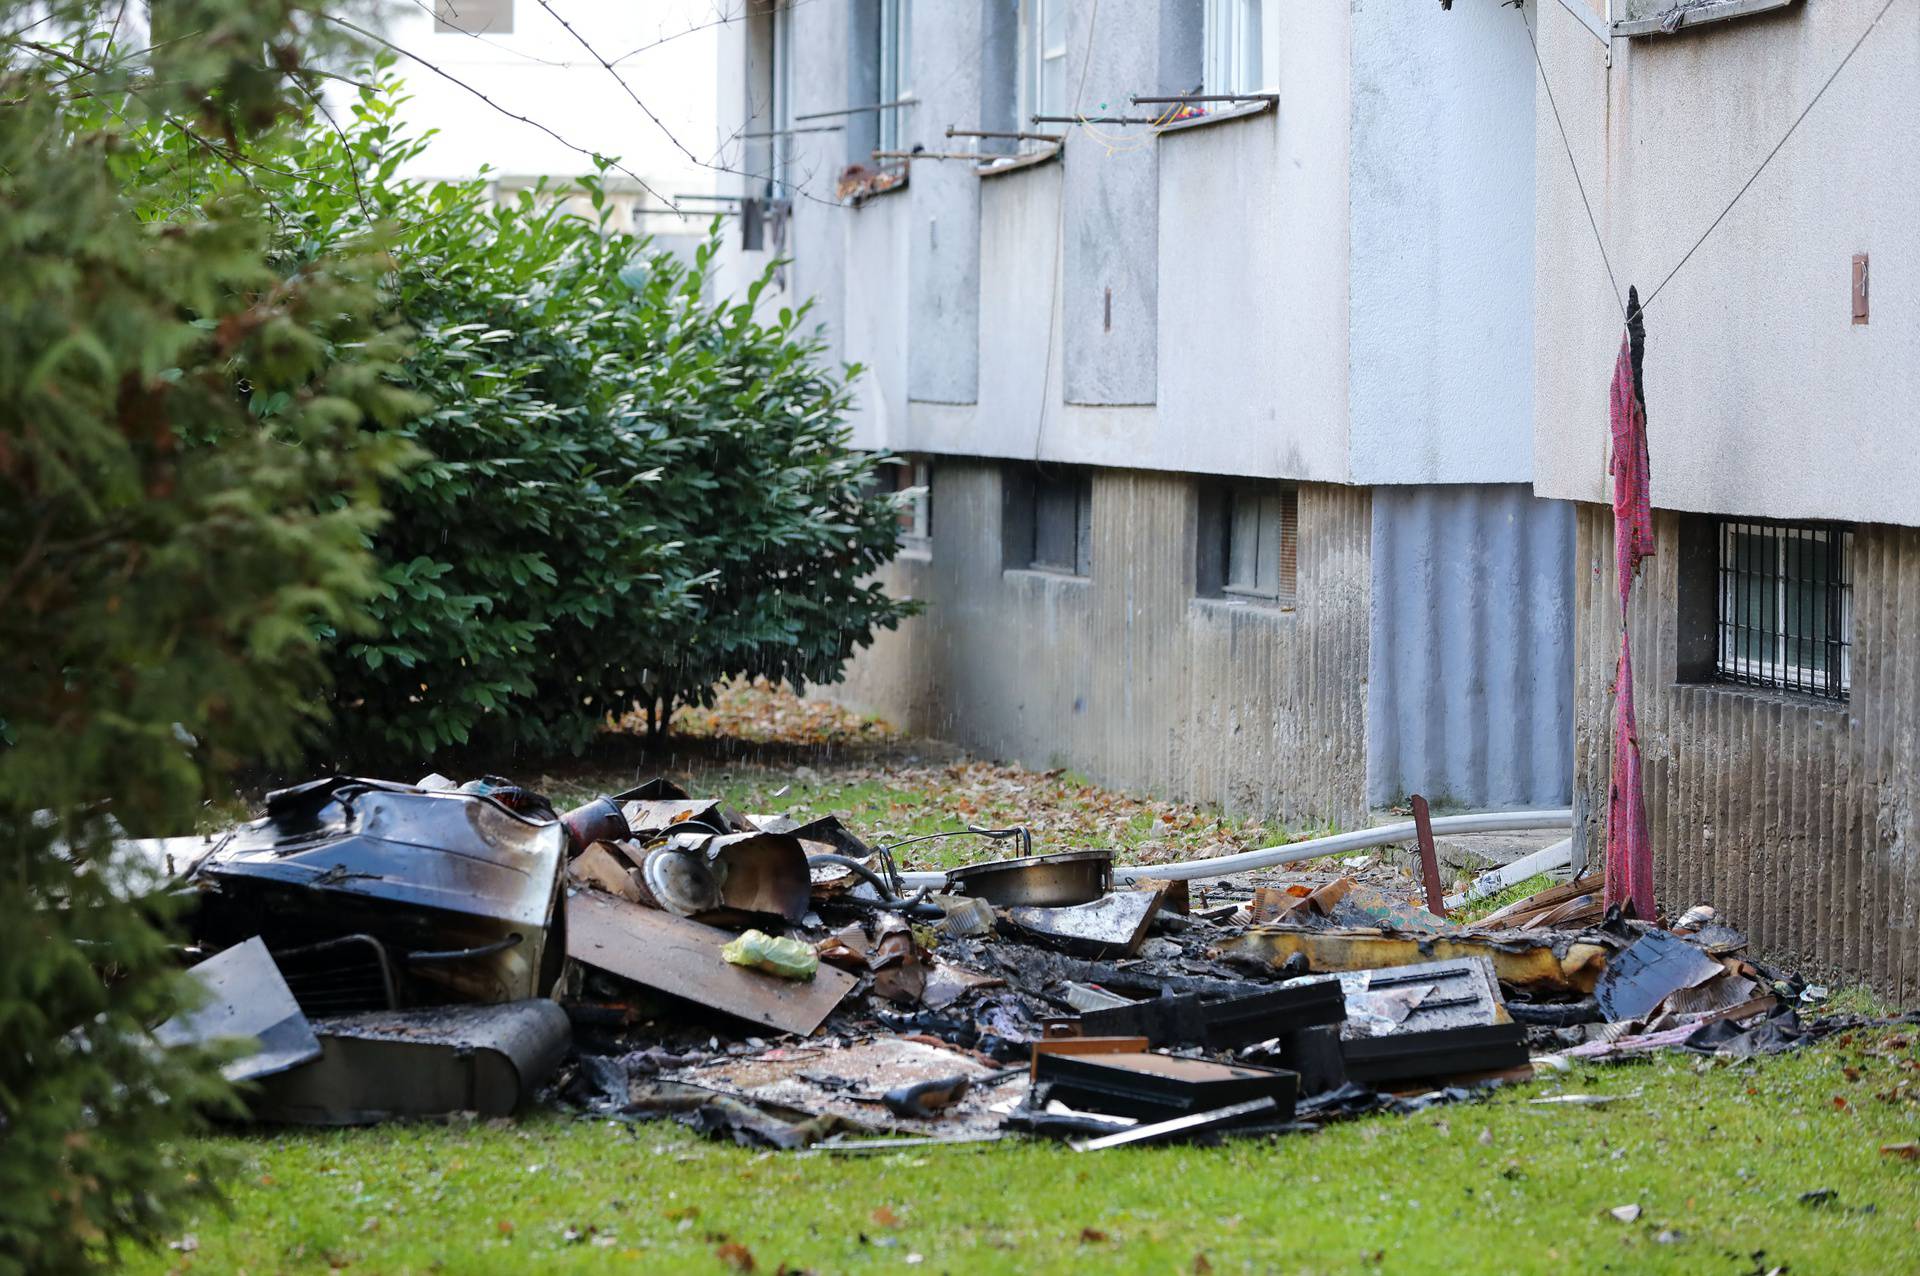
(1731, 636)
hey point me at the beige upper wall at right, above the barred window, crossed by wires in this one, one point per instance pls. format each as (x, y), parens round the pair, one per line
(1764, 396)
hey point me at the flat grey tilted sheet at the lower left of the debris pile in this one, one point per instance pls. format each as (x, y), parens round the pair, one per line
(247, 999)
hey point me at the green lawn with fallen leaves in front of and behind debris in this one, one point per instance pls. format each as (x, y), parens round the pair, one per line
(1714, 1154)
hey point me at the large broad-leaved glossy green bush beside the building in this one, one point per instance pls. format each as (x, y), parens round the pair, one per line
(635, 492)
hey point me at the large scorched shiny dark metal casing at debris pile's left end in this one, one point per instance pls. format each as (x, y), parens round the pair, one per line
(450, 874)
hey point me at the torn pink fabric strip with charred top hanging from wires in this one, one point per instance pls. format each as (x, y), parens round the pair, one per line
(1629, 849)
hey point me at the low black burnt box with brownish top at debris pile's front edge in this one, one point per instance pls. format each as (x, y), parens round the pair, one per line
(1161, 1087)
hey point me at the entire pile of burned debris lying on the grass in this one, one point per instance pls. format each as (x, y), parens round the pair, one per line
(414, 951)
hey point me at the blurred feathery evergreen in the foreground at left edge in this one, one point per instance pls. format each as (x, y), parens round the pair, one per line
(187, 504)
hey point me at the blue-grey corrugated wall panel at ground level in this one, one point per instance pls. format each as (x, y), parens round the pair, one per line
(1470, 680)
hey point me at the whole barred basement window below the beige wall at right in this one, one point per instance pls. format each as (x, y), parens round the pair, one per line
(1785, 607)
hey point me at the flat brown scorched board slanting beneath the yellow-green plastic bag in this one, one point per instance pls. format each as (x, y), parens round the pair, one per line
(681, 957)
